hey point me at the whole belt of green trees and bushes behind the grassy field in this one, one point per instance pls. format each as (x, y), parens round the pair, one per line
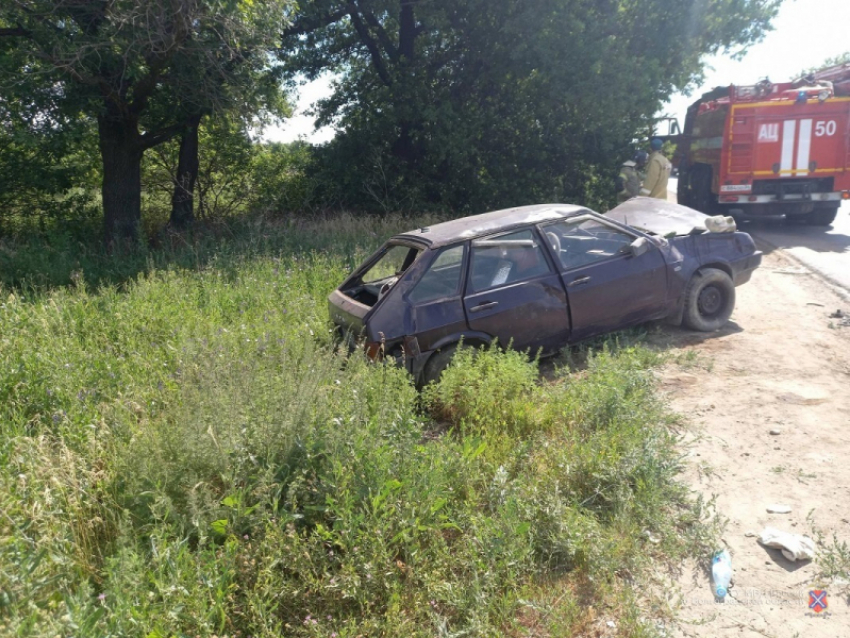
(461, 105)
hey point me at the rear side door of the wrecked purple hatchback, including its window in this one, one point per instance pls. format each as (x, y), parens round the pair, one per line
(514, 294)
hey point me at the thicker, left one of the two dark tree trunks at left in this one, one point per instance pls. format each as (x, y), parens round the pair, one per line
(121, 153)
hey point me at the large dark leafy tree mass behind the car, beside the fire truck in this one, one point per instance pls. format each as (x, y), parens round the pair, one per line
(477, 103)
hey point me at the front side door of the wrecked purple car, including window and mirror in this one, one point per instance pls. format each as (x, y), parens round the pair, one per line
(608, 286)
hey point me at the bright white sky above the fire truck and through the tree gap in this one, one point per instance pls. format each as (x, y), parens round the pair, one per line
(805, 34)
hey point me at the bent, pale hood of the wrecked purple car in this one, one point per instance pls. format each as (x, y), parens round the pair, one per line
(659, 217)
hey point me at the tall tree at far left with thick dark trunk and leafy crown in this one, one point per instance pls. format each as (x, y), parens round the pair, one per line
(144, 70)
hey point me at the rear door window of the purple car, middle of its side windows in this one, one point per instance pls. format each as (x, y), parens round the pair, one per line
(500, 260)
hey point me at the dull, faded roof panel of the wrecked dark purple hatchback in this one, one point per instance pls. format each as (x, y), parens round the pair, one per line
(477, 225)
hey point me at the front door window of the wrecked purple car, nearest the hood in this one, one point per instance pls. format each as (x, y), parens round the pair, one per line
(585, 240)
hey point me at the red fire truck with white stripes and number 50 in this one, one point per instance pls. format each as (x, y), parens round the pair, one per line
(769, 150)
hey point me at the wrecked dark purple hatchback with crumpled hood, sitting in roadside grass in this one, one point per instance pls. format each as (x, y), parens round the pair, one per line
(541, 277)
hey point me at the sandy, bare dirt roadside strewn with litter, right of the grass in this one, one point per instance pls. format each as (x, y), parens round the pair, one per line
(769, 423)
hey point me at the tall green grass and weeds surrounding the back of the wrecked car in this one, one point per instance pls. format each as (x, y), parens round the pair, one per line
(183, 452)
